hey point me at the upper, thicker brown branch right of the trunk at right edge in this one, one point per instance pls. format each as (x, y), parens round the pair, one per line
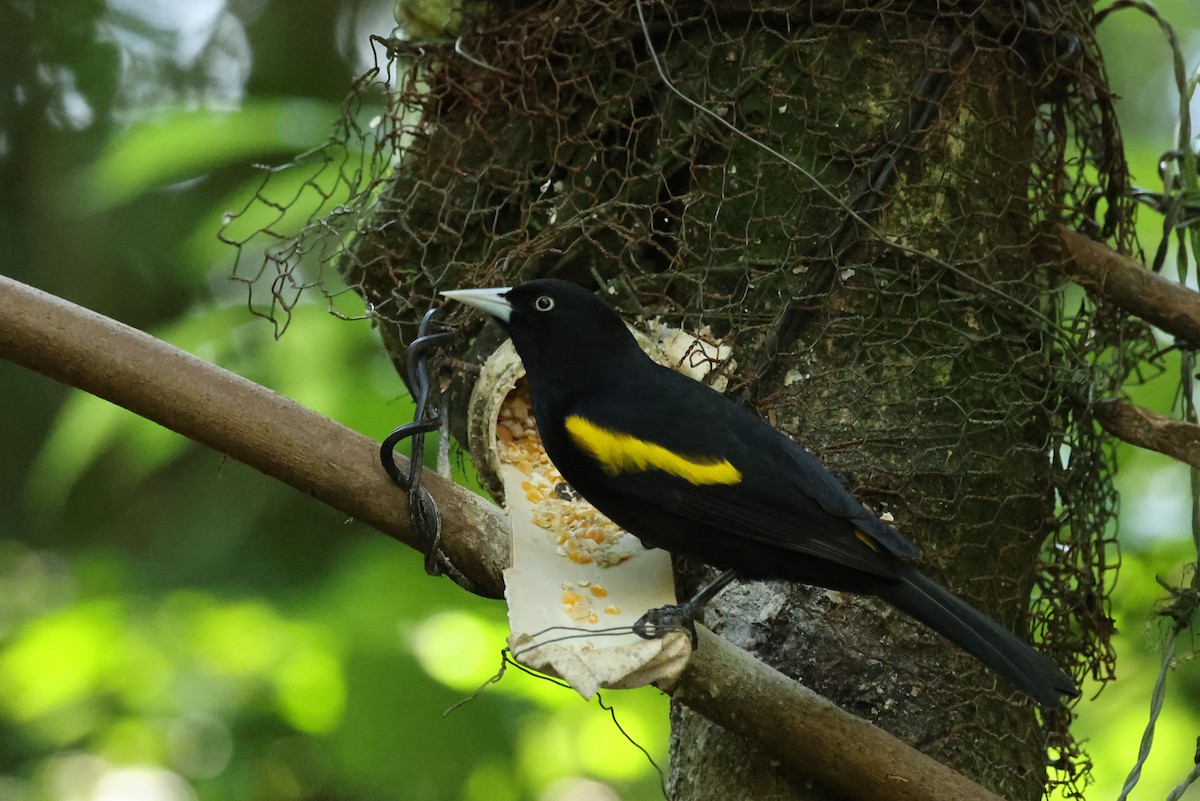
(1126, 282)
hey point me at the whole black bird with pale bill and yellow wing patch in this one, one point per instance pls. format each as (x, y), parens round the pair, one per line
(683, 468)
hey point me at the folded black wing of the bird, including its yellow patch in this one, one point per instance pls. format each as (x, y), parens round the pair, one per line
(674, 442)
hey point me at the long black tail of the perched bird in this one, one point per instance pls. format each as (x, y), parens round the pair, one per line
(982, 637)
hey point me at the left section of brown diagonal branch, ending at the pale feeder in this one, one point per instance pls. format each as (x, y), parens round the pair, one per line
(238, 418)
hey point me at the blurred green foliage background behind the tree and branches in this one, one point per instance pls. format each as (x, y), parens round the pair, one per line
(176, 627)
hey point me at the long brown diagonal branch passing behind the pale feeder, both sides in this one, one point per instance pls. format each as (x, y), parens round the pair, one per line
(340, 467)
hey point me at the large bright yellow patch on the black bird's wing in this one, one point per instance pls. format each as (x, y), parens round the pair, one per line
(619, 454)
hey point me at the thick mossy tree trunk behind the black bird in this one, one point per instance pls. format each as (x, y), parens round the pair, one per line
(909, 357)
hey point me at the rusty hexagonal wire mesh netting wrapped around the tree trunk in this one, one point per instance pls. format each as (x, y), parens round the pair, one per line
(851, 197)
